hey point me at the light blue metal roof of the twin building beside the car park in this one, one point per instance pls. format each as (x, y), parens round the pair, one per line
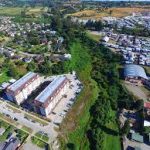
(43, 96)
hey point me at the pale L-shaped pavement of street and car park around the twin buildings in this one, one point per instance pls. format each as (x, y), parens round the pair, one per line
(56, 116)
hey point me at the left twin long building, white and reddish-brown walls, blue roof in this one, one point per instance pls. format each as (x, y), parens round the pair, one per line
(22, 88)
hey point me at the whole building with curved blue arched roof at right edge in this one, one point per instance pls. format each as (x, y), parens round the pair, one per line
(135, 74)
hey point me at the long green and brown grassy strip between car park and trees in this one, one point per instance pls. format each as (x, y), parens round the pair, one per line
(76, 122)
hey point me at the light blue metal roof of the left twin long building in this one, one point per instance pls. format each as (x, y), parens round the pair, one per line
(22, 81)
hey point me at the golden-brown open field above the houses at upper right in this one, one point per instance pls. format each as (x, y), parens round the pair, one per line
(113, 12)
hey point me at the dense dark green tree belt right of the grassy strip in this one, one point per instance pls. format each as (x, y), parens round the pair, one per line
(111, 96)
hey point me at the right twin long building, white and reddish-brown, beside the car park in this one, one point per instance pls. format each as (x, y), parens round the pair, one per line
(51, 95)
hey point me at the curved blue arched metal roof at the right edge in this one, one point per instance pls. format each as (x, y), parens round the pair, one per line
(134, 71)
